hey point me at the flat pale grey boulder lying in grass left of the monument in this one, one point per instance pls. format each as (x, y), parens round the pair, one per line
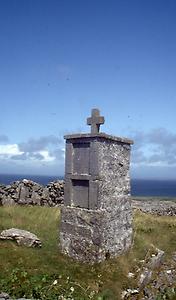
(22, 237)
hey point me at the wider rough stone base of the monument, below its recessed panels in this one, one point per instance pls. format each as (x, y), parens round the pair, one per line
(98, 228)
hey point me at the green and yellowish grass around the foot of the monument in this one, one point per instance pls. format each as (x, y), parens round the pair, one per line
(46, 274)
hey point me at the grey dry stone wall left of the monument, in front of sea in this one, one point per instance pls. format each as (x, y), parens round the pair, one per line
(27, 192)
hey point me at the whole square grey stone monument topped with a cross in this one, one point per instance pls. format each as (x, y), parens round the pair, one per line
(96, 219)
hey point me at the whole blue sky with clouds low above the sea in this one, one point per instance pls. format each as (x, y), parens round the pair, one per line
(61, 58)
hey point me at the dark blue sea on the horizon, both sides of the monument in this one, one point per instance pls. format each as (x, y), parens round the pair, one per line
(139, 187)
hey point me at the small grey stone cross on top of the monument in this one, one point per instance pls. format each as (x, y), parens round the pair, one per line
(95, 121)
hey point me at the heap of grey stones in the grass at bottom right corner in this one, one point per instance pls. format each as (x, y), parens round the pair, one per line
(155, 276)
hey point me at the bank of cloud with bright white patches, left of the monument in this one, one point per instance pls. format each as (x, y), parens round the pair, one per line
(43, 155)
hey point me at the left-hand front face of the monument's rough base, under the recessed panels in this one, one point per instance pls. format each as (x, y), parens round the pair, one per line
(80, 234)
